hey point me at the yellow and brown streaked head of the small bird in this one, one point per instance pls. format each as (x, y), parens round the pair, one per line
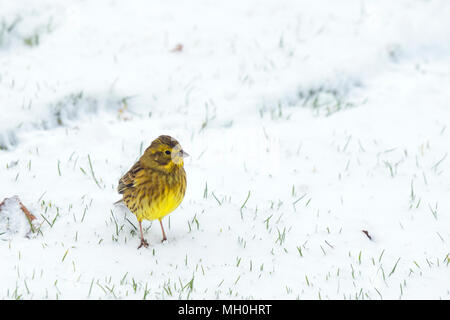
(164, 153)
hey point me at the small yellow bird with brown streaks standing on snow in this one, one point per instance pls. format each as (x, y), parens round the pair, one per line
(156, 184)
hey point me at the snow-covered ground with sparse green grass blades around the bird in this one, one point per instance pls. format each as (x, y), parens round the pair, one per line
(307, 122)
